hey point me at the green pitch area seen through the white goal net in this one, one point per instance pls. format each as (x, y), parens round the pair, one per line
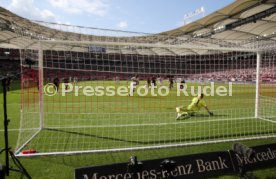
(76, 122)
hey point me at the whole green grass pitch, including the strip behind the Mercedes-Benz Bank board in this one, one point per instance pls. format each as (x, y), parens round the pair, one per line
(83, 123)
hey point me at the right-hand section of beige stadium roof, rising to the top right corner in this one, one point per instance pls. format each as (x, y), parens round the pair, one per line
(240, 9)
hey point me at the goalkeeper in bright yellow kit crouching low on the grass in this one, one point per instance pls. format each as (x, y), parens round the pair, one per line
(195, 106)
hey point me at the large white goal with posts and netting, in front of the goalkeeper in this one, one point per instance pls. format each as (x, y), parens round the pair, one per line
(100, 93)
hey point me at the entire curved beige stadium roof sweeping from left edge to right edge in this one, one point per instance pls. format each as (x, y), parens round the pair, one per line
(237, 26)
